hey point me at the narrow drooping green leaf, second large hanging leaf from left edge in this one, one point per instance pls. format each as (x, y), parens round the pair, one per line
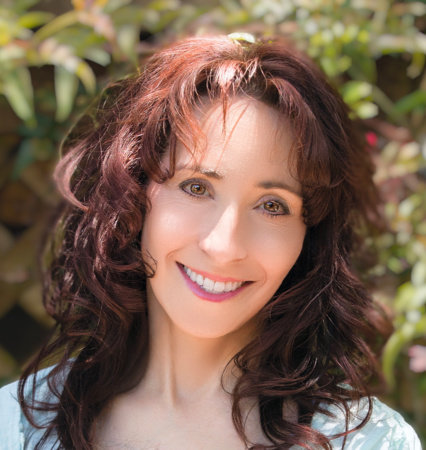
(66, 84)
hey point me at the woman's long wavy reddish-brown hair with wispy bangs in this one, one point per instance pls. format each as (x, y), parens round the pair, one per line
(319, 333)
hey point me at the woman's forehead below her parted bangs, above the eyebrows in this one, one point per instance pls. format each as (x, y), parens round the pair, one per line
(248, 143)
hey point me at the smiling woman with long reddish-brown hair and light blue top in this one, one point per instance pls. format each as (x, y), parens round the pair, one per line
(200, 273)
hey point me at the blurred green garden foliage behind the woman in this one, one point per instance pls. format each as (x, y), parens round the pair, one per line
(57, 55)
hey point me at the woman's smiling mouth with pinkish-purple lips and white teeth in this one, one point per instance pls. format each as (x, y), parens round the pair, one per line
(210, 289)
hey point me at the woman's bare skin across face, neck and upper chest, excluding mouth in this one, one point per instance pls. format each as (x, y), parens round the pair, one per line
(232, 211)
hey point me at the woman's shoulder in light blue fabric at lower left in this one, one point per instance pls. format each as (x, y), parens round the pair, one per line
(15, 430)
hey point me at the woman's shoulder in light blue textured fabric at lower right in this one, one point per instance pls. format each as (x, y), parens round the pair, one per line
(386, 429)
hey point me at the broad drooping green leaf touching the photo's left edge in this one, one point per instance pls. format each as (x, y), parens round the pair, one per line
(18, 89)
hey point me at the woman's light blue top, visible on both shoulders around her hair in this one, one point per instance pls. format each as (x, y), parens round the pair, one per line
(386, 429)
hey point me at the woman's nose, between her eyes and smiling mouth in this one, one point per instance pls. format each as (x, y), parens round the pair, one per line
(223, 239)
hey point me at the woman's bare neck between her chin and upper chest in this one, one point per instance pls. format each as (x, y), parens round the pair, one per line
(183, 368)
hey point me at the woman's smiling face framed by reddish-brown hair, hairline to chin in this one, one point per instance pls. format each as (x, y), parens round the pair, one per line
(227, 228)
